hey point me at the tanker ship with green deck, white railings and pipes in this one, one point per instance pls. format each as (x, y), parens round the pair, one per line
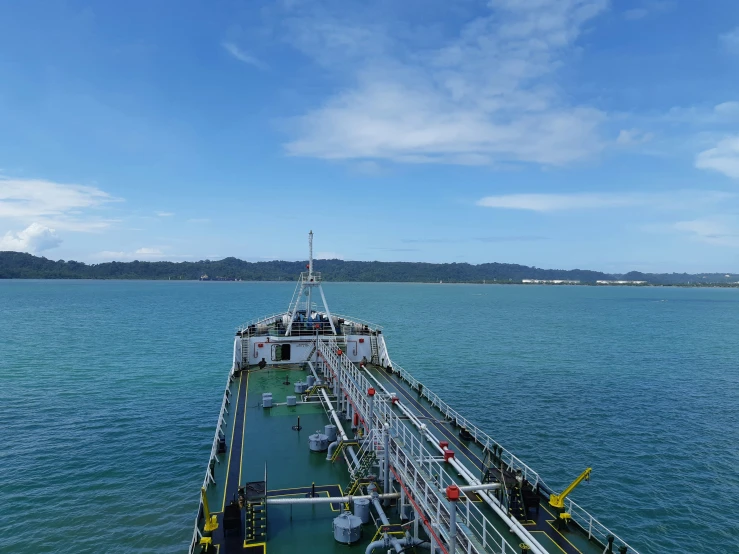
(325, 445)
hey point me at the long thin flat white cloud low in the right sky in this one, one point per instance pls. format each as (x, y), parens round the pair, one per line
(583, 201)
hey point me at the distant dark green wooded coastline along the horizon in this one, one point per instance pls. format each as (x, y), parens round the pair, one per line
(17, 265)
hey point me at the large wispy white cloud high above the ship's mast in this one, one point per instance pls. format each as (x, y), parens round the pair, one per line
(488, 95)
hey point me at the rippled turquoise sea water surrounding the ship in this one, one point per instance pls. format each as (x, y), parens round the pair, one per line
(109, 394)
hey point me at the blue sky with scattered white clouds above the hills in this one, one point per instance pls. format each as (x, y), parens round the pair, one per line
(554, 133)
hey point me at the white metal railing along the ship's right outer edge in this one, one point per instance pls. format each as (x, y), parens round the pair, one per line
(594, 528)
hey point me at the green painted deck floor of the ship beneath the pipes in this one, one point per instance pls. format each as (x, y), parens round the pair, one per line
(263, 443)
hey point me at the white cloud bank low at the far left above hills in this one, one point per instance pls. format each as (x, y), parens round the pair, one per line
(62, 206)
